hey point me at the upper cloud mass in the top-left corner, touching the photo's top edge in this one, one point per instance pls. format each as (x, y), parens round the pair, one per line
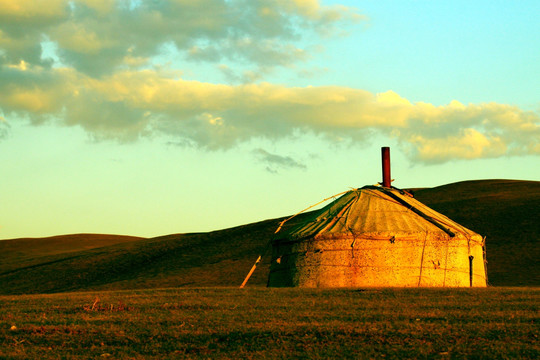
(99, 36)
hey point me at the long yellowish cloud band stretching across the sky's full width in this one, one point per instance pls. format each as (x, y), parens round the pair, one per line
(130, 104)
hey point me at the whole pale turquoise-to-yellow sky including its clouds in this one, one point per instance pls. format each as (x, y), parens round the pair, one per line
(150, 118)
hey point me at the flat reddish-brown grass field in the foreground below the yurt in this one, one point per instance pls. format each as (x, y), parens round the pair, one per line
(217, 323)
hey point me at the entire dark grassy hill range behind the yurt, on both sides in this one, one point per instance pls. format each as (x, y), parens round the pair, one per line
(505, 211)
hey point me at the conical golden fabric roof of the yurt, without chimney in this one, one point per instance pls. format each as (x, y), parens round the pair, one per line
(373, 210)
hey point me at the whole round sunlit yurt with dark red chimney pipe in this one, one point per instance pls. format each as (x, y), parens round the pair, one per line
(377, 236)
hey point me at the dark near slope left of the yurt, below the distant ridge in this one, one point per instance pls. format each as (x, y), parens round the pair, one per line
(217, 258)
